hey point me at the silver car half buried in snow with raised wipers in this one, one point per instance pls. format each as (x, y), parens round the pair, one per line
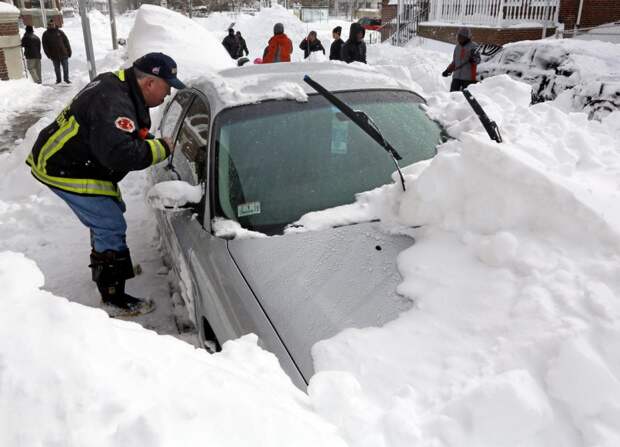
(263, 149)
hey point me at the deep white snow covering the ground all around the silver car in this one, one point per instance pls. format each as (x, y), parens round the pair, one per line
(513, 339)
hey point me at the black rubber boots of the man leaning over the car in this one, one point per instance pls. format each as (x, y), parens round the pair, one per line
(110, 270)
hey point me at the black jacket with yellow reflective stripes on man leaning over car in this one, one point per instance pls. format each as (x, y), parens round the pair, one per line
(98, 138)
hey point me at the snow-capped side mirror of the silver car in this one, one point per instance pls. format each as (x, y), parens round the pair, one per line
(174, 195)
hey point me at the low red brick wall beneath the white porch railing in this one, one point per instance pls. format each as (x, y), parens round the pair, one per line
(497, 36)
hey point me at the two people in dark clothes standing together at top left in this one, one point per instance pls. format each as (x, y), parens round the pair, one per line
(55, 46)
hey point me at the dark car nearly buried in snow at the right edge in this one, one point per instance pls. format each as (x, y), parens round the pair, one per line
(584, 74)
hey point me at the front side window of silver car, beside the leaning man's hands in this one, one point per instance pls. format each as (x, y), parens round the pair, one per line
(190, 156)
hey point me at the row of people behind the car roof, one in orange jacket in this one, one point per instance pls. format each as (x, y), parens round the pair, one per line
(280, 46)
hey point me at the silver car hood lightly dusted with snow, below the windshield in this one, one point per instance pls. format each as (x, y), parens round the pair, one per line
(313, 285)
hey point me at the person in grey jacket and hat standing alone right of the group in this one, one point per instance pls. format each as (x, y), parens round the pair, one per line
(465, 60)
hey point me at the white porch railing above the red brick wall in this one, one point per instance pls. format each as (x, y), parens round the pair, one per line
(500, 13)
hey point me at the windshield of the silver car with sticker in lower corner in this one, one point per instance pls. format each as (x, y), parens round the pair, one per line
(278, 160)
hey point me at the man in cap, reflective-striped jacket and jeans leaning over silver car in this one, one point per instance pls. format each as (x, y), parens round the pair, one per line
(98, 138)
